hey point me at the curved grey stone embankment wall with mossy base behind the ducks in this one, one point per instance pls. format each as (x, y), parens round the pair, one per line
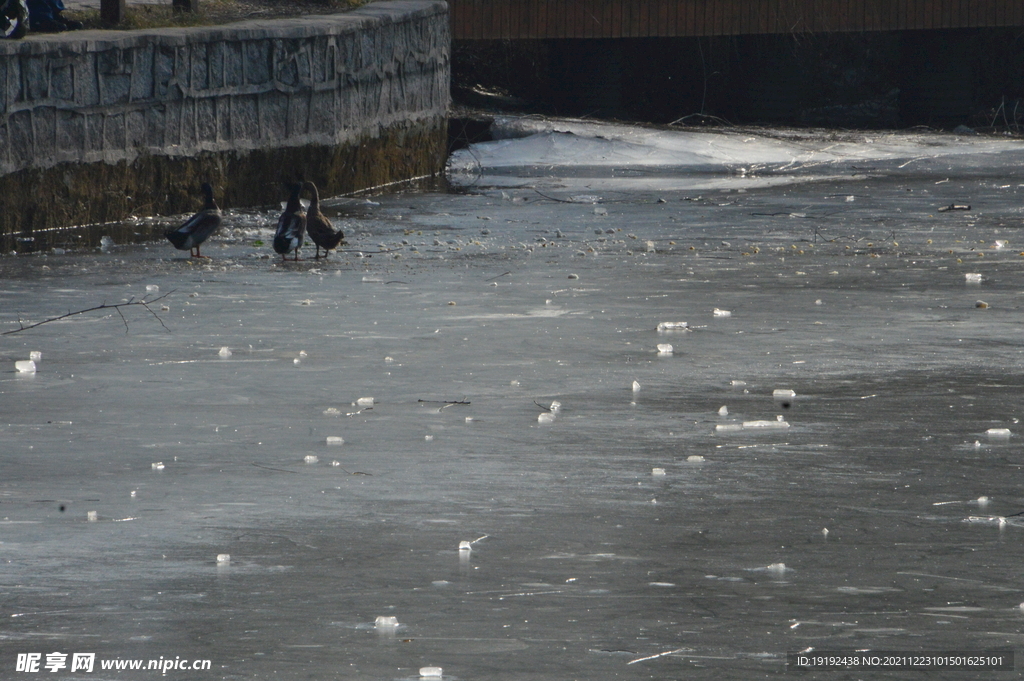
(99, 125)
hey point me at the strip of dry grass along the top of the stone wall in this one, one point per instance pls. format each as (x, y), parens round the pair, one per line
(215, 13)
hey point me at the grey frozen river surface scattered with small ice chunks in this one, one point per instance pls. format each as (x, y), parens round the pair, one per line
(639, 532)
